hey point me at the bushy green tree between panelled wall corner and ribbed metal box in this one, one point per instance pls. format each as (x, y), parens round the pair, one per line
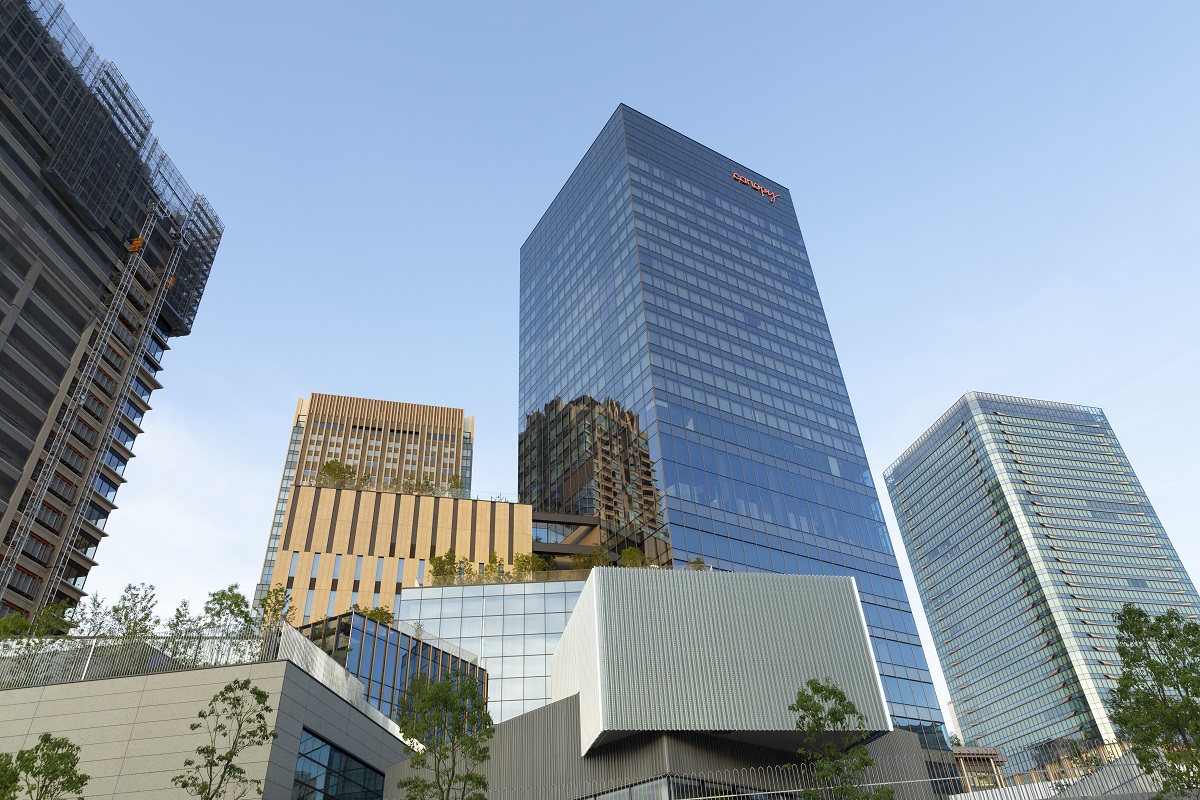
(449, 718)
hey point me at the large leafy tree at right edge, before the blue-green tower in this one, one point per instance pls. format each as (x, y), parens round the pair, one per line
(1156, 706)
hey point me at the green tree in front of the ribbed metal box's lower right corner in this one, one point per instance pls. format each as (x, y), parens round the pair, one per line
(838, 762)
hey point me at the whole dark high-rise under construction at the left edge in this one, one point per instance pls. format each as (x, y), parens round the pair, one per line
(105, 252)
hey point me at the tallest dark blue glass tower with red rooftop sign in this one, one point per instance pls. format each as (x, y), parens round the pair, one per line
(675, 282)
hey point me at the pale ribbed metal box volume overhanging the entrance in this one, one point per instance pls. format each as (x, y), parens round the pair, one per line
(711, 652)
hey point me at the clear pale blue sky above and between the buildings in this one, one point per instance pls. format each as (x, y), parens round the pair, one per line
(995, 197)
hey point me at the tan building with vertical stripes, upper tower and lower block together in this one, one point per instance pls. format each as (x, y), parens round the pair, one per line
(382, 444)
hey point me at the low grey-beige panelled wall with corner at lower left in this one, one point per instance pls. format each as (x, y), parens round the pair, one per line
(134, 732)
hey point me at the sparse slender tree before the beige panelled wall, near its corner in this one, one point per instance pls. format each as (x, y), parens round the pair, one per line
(235, 721)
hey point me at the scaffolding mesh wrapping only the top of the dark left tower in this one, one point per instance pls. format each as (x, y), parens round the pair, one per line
(103, 158)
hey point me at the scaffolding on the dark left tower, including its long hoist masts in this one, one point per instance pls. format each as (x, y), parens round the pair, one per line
(101, 158)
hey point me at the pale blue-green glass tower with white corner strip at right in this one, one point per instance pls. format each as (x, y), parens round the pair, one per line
(1028, 531)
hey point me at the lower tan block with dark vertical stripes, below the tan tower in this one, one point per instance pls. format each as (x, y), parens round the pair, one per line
(341, 548)
